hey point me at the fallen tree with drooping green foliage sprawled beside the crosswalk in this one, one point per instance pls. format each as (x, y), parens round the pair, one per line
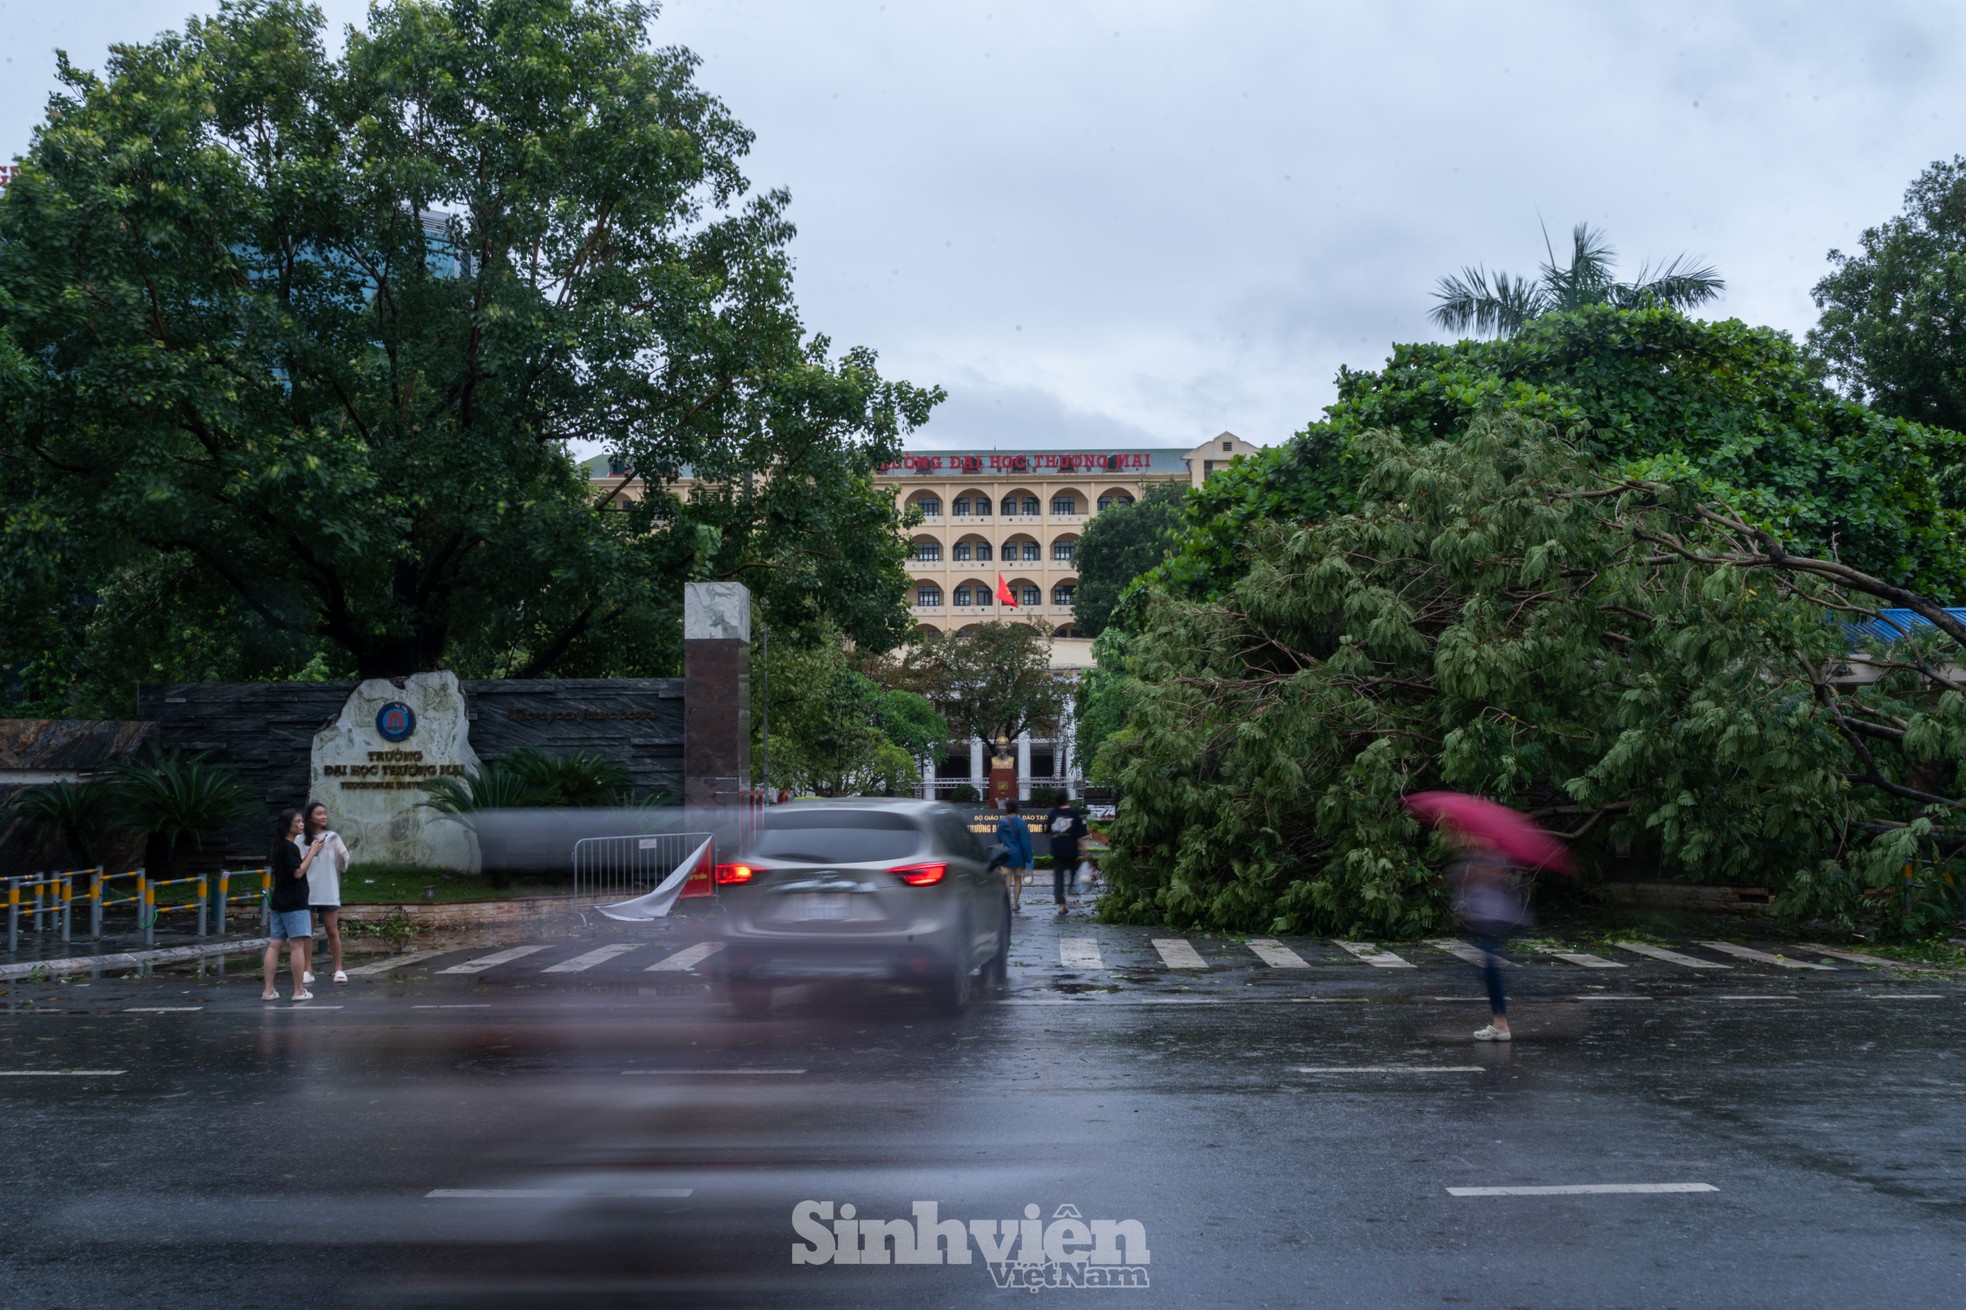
(1495, 619)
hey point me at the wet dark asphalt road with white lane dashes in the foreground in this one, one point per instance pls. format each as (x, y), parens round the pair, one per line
(612, 1138)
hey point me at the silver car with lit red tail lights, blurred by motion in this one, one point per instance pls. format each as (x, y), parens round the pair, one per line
(876, 890)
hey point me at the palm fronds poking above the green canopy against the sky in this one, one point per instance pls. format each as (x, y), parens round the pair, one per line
(1503, 306)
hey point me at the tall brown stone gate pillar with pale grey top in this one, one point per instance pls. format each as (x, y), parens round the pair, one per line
(717, 693)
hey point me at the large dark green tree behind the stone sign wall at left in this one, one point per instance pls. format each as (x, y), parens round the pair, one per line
(294, 349)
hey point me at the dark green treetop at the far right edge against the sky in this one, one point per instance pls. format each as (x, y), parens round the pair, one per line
(1888, 314)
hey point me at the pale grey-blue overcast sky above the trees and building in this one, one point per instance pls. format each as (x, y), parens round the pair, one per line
(1141, 223)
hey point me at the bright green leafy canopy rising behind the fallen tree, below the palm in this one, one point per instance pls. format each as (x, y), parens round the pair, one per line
(1731, 410)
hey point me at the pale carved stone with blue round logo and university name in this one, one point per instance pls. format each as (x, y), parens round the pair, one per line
(371, 768)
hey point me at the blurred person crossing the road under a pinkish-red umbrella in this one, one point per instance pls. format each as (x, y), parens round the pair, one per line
(1489, 896)
